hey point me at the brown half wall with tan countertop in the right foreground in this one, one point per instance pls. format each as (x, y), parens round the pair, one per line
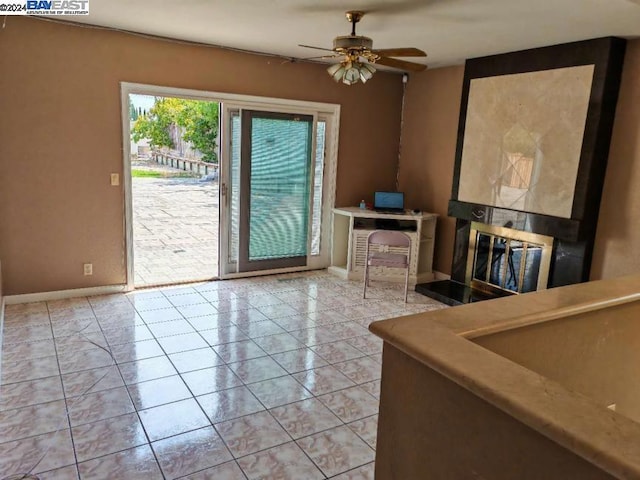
(542, 385)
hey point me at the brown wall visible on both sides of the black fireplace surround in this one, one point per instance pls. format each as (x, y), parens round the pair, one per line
(428, 155)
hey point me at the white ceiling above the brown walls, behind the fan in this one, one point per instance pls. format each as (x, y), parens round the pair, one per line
(448, 30)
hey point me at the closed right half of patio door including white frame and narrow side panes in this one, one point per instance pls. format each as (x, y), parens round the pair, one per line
(273, 192)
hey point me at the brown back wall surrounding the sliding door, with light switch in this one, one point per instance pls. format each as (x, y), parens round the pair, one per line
(61, 137)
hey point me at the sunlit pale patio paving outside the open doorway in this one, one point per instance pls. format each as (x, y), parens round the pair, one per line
(175, 228)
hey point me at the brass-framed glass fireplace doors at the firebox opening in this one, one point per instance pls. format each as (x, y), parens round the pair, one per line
(504, 261)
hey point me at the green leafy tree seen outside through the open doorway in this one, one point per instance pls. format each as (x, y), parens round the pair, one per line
(198, 118)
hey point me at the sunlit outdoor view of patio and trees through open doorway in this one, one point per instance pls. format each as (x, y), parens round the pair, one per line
(175, 189)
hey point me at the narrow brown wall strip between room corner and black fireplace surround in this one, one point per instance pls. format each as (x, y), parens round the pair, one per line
(428, 149)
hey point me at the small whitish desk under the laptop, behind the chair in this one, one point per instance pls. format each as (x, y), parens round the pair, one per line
(352, 225)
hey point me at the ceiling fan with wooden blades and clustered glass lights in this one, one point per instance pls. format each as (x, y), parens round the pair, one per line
(358, 55)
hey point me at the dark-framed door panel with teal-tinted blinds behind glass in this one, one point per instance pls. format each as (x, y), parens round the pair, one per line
(275, 193)
